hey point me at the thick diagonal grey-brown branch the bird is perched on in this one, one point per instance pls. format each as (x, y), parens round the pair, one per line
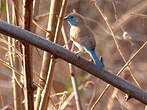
(58, 51)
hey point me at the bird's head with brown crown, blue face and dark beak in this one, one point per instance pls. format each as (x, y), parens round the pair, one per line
(74, 19)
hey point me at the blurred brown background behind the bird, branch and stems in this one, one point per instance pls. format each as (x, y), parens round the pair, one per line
(128, 20)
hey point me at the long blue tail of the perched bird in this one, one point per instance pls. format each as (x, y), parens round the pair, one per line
(96, 59)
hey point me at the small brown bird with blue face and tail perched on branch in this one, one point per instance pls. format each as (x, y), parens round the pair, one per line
(82, 36)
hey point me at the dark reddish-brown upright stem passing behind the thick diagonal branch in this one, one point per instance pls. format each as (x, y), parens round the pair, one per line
(27, 50)
